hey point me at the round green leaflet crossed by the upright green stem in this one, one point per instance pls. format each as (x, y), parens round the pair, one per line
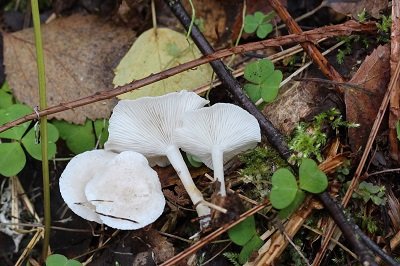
(35, 149)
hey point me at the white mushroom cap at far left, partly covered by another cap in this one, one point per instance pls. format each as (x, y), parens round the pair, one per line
(76, 175)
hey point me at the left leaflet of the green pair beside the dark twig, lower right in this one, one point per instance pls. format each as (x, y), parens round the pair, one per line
(284, 188)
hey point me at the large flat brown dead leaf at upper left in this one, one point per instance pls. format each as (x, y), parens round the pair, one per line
(80, 54)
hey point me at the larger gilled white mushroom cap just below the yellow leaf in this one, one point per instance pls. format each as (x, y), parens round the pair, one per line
(147, 125)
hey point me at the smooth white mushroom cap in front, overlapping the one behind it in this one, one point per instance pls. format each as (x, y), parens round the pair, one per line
(127, 193)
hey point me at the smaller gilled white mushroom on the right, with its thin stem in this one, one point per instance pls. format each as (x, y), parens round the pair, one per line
(216, 134)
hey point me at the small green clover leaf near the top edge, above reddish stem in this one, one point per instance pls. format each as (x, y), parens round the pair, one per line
(258, 23)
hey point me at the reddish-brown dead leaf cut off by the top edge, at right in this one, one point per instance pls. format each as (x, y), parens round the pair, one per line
(355, 7)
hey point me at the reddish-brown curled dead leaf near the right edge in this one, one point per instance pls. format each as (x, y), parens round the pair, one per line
(363, 105)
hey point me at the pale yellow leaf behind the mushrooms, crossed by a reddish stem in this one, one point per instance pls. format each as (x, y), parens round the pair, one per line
(156, 50)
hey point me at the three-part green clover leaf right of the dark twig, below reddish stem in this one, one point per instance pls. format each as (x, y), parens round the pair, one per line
(263, 80)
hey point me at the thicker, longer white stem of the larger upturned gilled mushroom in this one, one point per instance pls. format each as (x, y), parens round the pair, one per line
(176, 160)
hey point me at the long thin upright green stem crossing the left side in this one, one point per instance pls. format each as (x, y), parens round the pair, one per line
(43, 125)
